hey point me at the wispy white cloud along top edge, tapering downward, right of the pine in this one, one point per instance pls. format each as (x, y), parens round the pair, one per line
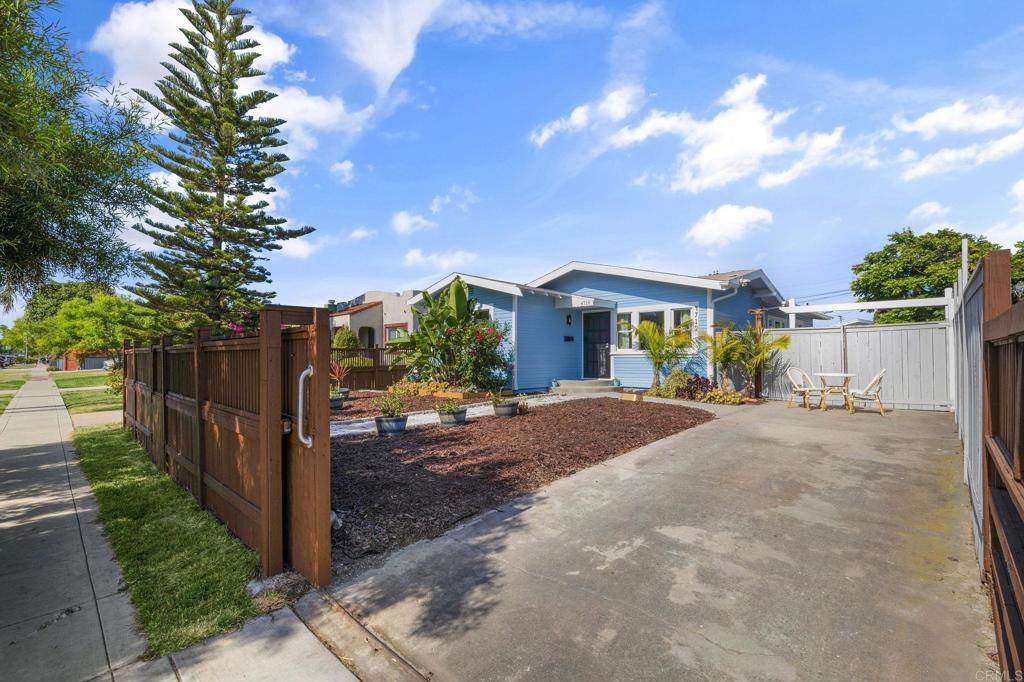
(381, 36)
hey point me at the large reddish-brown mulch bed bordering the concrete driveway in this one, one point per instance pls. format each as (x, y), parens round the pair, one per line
(394, 492)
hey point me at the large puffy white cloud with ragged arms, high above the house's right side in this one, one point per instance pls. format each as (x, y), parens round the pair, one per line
(734, 145)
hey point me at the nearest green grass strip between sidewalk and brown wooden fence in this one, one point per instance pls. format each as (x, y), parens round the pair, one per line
(186, 573)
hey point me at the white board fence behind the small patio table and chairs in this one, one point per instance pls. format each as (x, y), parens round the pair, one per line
(916, 358)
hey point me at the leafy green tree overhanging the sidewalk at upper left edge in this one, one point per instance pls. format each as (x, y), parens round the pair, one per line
(71, 167)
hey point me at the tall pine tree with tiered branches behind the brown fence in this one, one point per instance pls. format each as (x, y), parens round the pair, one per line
(208, 262)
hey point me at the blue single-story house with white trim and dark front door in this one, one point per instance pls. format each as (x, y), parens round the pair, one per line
(575, 322)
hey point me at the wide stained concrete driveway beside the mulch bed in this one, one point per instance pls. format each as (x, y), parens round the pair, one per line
(773, 544)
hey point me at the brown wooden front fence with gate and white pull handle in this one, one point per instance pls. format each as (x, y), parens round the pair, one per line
(222, 416)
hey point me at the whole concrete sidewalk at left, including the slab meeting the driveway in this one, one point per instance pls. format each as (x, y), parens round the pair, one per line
(62, 615)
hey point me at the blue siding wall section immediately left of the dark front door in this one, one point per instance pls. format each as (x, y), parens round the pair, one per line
(544, 354)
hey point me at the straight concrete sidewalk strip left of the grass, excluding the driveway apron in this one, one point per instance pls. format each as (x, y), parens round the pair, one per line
(62, 617)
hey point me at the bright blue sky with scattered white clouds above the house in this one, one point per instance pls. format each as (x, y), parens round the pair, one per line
(505, 139)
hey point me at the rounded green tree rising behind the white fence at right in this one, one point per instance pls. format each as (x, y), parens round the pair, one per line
(915, 267)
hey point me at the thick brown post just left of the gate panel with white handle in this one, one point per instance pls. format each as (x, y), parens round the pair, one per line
(271, 435)
